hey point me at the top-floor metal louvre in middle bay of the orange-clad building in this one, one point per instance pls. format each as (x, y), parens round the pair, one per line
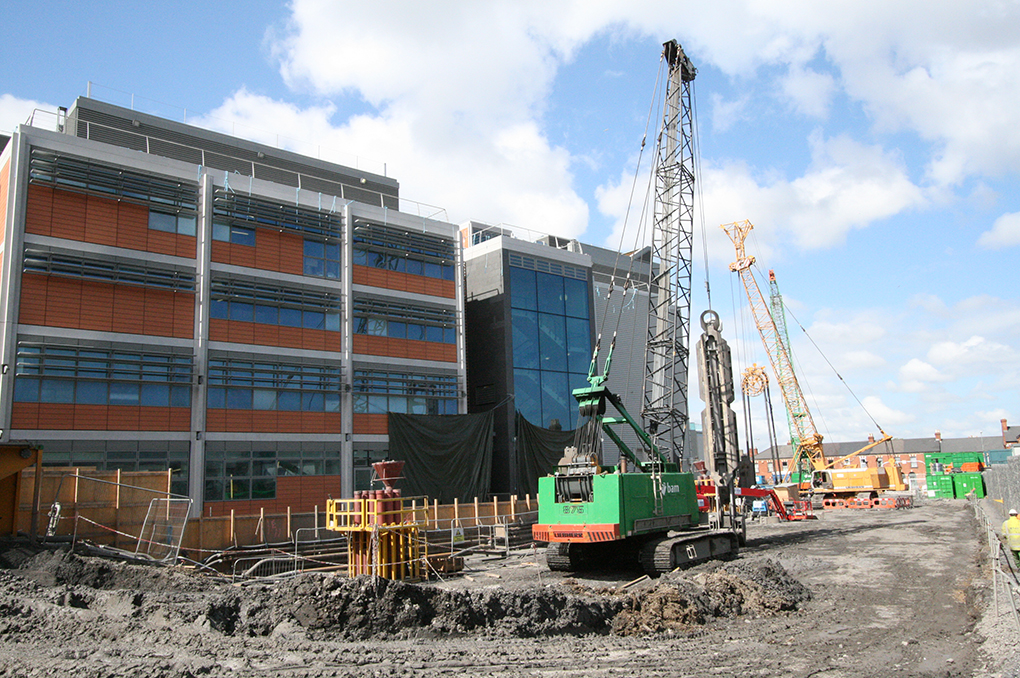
(249, 212)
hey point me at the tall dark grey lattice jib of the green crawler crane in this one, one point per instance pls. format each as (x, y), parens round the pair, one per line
(667, 354)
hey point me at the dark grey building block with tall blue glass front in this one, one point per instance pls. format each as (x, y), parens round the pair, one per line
(530, 323)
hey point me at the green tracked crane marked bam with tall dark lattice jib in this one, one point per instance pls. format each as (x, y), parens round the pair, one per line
(645, 508)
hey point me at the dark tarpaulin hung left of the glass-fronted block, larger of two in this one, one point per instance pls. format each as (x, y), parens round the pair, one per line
(447, 456)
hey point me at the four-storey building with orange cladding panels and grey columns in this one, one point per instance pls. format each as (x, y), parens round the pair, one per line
(246, 317)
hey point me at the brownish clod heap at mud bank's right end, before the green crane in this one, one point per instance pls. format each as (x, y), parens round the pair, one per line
(682, 602)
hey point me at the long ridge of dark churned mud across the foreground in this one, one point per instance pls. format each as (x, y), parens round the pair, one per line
(53, 592)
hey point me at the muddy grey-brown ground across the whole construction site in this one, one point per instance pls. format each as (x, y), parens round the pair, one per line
(855, 594)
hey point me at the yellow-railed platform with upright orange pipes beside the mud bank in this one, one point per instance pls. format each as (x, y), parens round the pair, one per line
(384, 530)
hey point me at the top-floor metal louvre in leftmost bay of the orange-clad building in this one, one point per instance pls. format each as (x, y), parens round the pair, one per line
(84, 176)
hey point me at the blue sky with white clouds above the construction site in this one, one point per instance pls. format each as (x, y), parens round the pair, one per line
(875, 146)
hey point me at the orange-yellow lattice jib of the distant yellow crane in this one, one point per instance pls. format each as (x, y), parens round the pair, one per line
(810, 441)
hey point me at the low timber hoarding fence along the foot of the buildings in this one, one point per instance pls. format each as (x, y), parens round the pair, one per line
(111, 508)
